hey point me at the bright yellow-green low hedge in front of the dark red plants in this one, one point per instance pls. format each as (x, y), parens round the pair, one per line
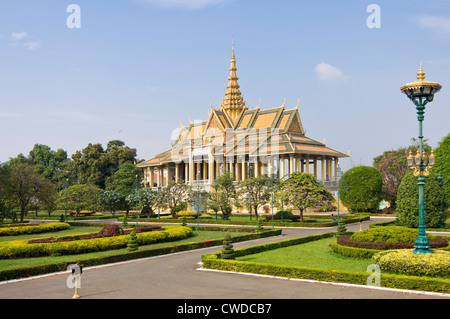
(21, 248)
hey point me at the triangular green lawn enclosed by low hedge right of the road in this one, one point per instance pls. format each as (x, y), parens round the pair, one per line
(315, 254)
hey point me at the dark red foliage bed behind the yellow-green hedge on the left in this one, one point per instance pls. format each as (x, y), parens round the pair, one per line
(107, 231)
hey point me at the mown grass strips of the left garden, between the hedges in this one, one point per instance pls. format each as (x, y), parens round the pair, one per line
(17, 263)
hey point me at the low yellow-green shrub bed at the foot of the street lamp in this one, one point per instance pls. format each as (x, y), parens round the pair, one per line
(404, 261)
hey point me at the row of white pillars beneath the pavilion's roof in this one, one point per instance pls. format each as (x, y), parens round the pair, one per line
(208, 170)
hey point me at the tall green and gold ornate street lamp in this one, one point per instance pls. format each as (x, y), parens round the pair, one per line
(420, 93)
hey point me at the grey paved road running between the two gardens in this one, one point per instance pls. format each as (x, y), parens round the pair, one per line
(177, 277)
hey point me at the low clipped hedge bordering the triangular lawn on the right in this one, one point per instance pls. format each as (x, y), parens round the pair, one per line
(213, 261)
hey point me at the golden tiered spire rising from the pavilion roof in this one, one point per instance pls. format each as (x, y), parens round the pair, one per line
(233, 103)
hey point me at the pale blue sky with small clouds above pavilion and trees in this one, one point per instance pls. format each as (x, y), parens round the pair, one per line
(136, 69)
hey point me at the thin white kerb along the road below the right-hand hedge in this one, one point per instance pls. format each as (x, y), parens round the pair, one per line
(417, 292)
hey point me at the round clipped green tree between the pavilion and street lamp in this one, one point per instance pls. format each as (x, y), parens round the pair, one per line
(361, 189)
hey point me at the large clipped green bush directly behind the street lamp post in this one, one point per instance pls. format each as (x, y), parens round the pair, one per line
(408, 201)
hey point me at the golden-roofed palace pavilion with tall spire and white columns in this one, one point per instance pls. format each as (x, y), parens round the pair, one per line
(245, 141)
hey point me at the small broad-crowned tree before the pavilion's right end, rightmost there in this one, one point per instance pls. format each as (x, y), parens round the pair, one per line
(302, 190)
